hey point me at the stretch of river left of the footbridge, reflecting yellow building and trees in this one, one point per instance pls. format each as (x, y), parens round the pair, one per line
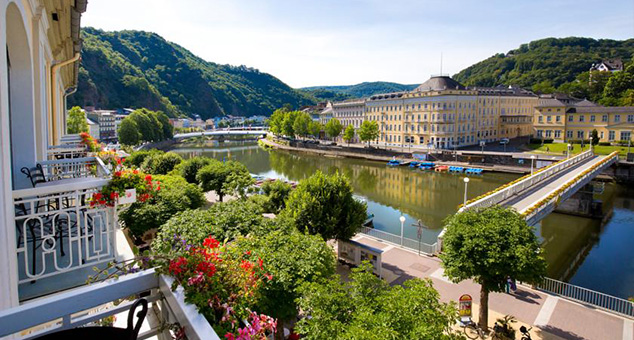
(426, 196)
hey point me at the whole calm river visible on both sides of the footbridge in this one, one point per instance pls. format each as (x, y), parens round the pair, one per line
(587, 252)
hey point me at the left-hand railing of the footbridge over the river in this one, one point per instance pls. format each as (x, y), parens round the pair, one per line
(526, 182)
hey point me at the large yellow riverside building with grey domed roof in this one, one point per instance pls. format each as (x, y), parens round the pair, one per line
(441, 113)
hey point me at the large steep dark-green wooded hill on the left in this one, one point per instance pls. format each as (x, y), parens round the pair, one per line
(140, 69)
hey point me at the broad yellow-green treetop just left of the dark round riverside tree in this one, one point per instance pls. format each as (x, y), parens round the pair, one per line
(224, 221)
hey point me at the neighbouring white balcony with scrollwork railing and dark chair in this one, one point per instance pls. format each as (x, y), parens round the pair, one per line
(59, 236)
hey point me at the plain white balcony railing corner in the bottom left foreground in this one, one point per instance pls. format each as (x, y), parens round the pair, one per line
(85, 305)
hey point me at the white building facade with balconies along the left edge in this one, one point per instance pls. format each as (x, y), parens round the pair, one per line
(50, 237)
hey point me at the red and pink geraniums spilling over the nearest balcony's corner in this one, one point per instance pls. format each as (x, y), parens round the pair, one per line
(224, 284)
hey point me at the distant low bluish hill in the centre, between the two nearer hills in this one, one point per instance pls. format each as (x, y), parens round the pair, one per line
(361, 90)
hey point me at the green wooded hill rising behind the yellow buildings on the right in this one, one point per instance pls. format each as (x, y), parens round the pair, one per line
(550, 62)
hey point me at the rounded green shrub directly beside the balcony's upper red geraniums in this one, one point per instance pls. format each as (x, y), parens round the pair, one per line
(176, 195)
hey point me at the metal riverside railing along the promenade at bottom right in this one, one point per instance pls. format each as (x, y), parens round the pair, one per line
(604, 301)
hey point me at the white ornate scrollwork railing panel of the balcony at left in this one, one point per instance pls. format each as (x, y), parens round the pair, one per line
(57, 230)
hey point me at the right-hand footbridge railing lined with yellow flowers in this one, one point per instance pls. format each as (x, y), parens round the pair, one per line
(562, 193)
